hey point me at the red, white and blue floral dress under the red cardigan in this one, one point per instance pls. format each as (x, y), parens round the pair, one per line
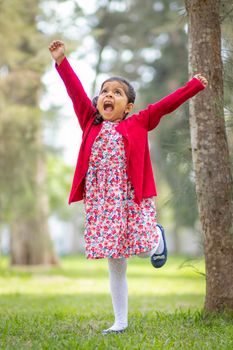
(115, 225)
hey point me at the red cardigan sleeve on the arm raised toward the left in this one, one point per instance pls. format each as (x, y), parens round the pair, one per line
(82, 104)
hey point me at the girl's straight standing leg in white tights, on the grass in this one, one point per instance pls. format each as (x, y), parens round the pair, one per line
(119, 293)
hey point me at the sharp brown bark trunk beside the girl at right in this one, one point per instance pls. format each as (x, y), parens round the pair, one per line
(214, 184)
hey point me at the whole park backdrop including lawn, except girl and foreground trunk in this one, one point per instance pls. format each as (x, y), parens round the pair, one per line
(51, 297)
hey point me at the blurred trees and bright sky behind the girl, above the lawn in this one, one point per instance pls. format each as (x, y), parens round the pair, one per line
(144, 41)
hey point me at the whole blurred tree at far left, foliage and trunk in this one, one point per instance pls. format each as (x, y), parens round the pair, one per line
(24, 203)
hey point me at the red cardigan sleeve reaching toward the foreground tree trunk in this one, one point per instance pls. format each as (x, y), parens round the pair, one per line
(151, 116)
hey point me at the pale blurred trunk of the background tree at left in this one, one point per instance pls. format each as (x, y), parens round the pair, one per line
(30, 242)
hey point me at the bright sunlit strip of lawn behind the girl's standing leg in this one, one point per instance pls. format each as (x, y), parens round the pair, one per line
(77, 275)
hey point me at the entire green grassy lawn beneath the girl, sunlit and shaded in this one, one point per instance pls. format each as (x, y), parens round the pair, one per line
(67, 307)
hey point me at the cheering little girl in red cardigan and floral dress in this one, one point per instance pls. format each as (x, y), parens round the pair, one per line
(114, 175)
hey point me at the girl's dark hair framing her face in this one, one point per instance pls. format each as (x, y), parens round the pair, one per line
(130, 93)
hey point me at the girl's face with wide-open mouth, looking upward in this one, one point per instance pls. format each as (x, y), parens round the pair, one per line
(113, 102)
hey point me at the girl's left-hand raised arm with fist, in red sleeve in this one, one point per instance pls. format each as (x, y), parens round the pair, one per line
(82, 104)
